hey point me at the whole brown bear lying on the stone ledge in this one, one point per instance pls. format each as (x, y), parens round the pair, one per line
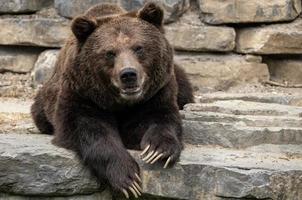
(115, 87)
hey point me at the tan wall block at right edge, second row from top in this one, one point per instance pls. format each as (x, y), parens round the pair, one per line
(271, 39)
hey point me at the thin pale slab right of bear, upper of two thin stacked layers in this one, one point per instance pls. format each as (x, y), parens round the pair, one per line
(239, 107)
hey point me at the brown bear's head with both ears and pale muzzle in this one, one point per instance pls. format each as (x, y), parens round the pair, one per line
(124, 53)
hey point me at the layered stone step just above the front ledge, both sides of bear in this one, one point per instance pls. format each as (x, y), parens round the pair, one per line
(200, 128)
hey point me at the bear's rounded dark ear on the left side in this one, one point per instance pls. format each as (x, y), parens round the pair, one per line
(82, 27)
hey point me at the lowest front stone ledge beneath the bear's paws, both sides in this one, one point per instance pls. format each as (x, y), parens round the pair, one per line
(205, 172)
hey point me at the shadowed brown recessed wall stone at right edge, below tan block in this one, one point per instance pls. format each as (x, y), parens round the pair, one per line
(287, 71)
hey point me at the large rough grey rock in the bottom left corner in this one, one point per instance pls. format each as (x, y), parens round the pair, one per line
(54, 170)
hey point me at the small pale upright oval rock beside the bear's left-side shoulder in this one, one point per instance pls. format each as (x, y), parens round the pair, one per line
(44, 66)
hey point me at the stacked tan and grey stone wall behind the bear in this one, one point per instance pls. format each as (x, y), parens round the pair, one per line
(219, 43)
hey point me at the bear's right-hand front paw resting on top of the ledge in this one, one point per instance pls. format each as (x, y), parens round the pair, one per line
(160, 146)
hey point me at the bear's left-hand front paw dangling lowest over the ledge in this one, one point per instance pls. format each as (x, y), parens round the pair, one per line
(123, 176)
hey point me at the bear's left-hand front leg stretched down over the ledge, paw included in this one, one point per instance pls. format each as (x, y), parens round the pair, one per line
(93, 135)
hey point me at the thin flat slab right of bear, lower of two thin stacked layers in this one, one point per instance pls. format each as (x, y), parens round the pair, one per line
(243, 120)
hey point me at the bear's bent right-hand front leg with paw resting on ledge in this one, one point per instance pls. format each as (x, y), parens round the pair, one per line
(163, 138)
